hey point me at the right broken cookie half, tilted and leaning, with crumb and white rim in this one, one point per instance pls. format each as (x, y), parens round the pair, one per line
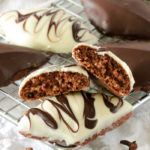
(112, 72)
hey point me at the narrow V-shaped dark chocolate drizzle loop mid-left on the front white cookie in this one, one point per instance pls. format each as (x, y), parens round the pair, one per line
(65, 107)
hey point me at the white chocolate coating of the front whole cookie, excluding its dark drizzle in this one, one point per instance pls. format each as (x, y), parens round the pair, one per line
(103, 115)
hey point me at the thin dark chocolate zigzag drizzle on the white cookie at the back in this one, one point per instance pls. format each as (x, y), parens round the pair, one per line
(76, 25)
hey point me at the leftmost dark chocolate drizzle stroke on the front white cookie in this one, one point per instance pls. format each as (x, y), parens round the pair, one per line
(46, 117)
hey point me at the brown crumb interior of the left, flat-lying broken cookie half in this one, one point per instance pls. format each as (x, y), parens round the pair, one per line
(53, 84)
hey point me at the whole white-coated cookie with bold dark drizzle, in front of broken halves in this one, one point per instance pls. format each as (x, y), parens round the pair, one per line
(74, 119)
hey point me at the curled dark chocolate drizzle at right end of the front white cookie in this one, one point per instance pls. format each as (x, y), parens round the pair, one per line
(113, 108)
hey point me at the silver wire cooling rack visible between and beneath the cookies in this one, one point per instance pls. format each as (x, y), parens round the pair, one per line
(12, 108)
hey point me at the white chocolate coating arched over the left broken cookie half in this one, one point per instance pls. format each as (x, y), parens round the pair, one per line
(53, 68)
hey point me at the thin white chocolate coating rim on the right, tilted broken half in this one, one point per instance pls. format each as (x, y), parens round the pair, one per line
(117, 59)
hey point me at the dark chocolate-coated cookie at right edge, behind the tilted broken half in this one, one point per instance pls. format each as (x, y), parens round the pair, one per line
(137, 56)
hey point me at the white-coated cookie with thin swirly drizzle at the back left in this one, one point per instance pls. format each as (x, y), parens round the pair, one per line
(45, 29)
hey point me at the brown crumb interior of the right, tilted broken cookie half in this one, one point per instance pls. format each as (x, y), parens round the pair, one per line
(105, 68)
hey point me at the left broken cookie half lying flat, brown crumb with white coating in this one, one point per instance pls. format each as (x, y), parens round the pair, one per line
(53, 81)
